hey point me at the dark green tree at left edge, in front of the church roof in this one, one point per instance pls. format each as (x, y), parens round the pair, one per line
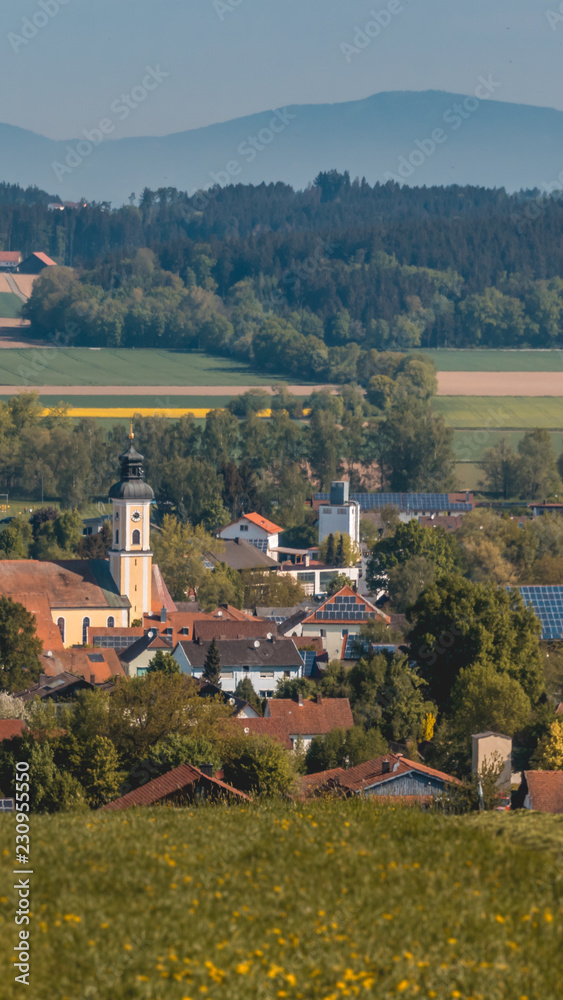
(19, 646)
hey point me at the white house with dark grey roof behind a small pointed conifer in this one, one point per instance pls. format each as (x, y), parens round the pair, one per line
(263, 662)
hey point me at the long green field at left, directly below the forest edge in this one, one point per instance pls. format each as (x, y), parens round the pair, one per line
(91, 367)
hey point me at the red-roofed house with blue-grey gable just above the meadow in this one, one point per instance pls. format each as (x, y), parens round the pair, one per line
(391, 774)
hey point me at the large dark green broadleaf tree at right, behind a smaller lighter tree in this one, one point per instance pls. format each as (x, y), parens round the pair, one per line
(456, 623)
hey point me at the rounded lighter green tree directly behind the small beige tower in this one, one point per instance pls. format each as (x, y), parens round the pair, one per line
(485, 699)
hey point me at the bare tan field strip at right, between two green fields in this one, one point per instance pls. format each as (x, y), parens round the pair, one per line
(501, 383)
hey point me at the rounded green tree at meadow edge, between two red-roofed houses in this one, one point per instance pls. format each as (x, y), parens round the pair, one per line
(258, 765)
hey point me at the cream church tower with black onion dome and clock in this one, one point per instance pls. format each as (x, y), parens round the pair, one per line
(130, 557)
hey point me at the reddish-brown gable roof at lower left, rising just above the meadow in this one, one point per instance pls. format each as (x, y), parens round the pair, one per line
(181, 786)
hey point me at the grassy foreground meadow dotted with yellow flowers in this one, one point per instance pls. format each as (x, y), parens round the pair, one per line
(325, 900)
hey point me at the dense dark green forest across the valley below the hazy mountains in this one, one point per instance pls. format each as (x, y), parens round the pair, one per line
(303, 283)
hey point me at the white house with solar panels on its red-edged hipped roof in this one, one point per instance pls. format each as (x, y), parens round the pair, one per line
(339, 617)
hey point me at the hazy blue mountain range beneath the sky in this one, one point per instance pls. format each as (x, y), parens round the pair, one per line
(423, 138)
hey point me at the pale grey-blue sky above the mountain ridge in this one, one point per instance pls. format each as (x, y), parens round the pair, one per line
(64, 62)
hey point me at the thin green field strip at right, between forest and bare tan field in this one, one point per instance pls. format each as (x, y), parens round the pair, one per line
(495, 361)
